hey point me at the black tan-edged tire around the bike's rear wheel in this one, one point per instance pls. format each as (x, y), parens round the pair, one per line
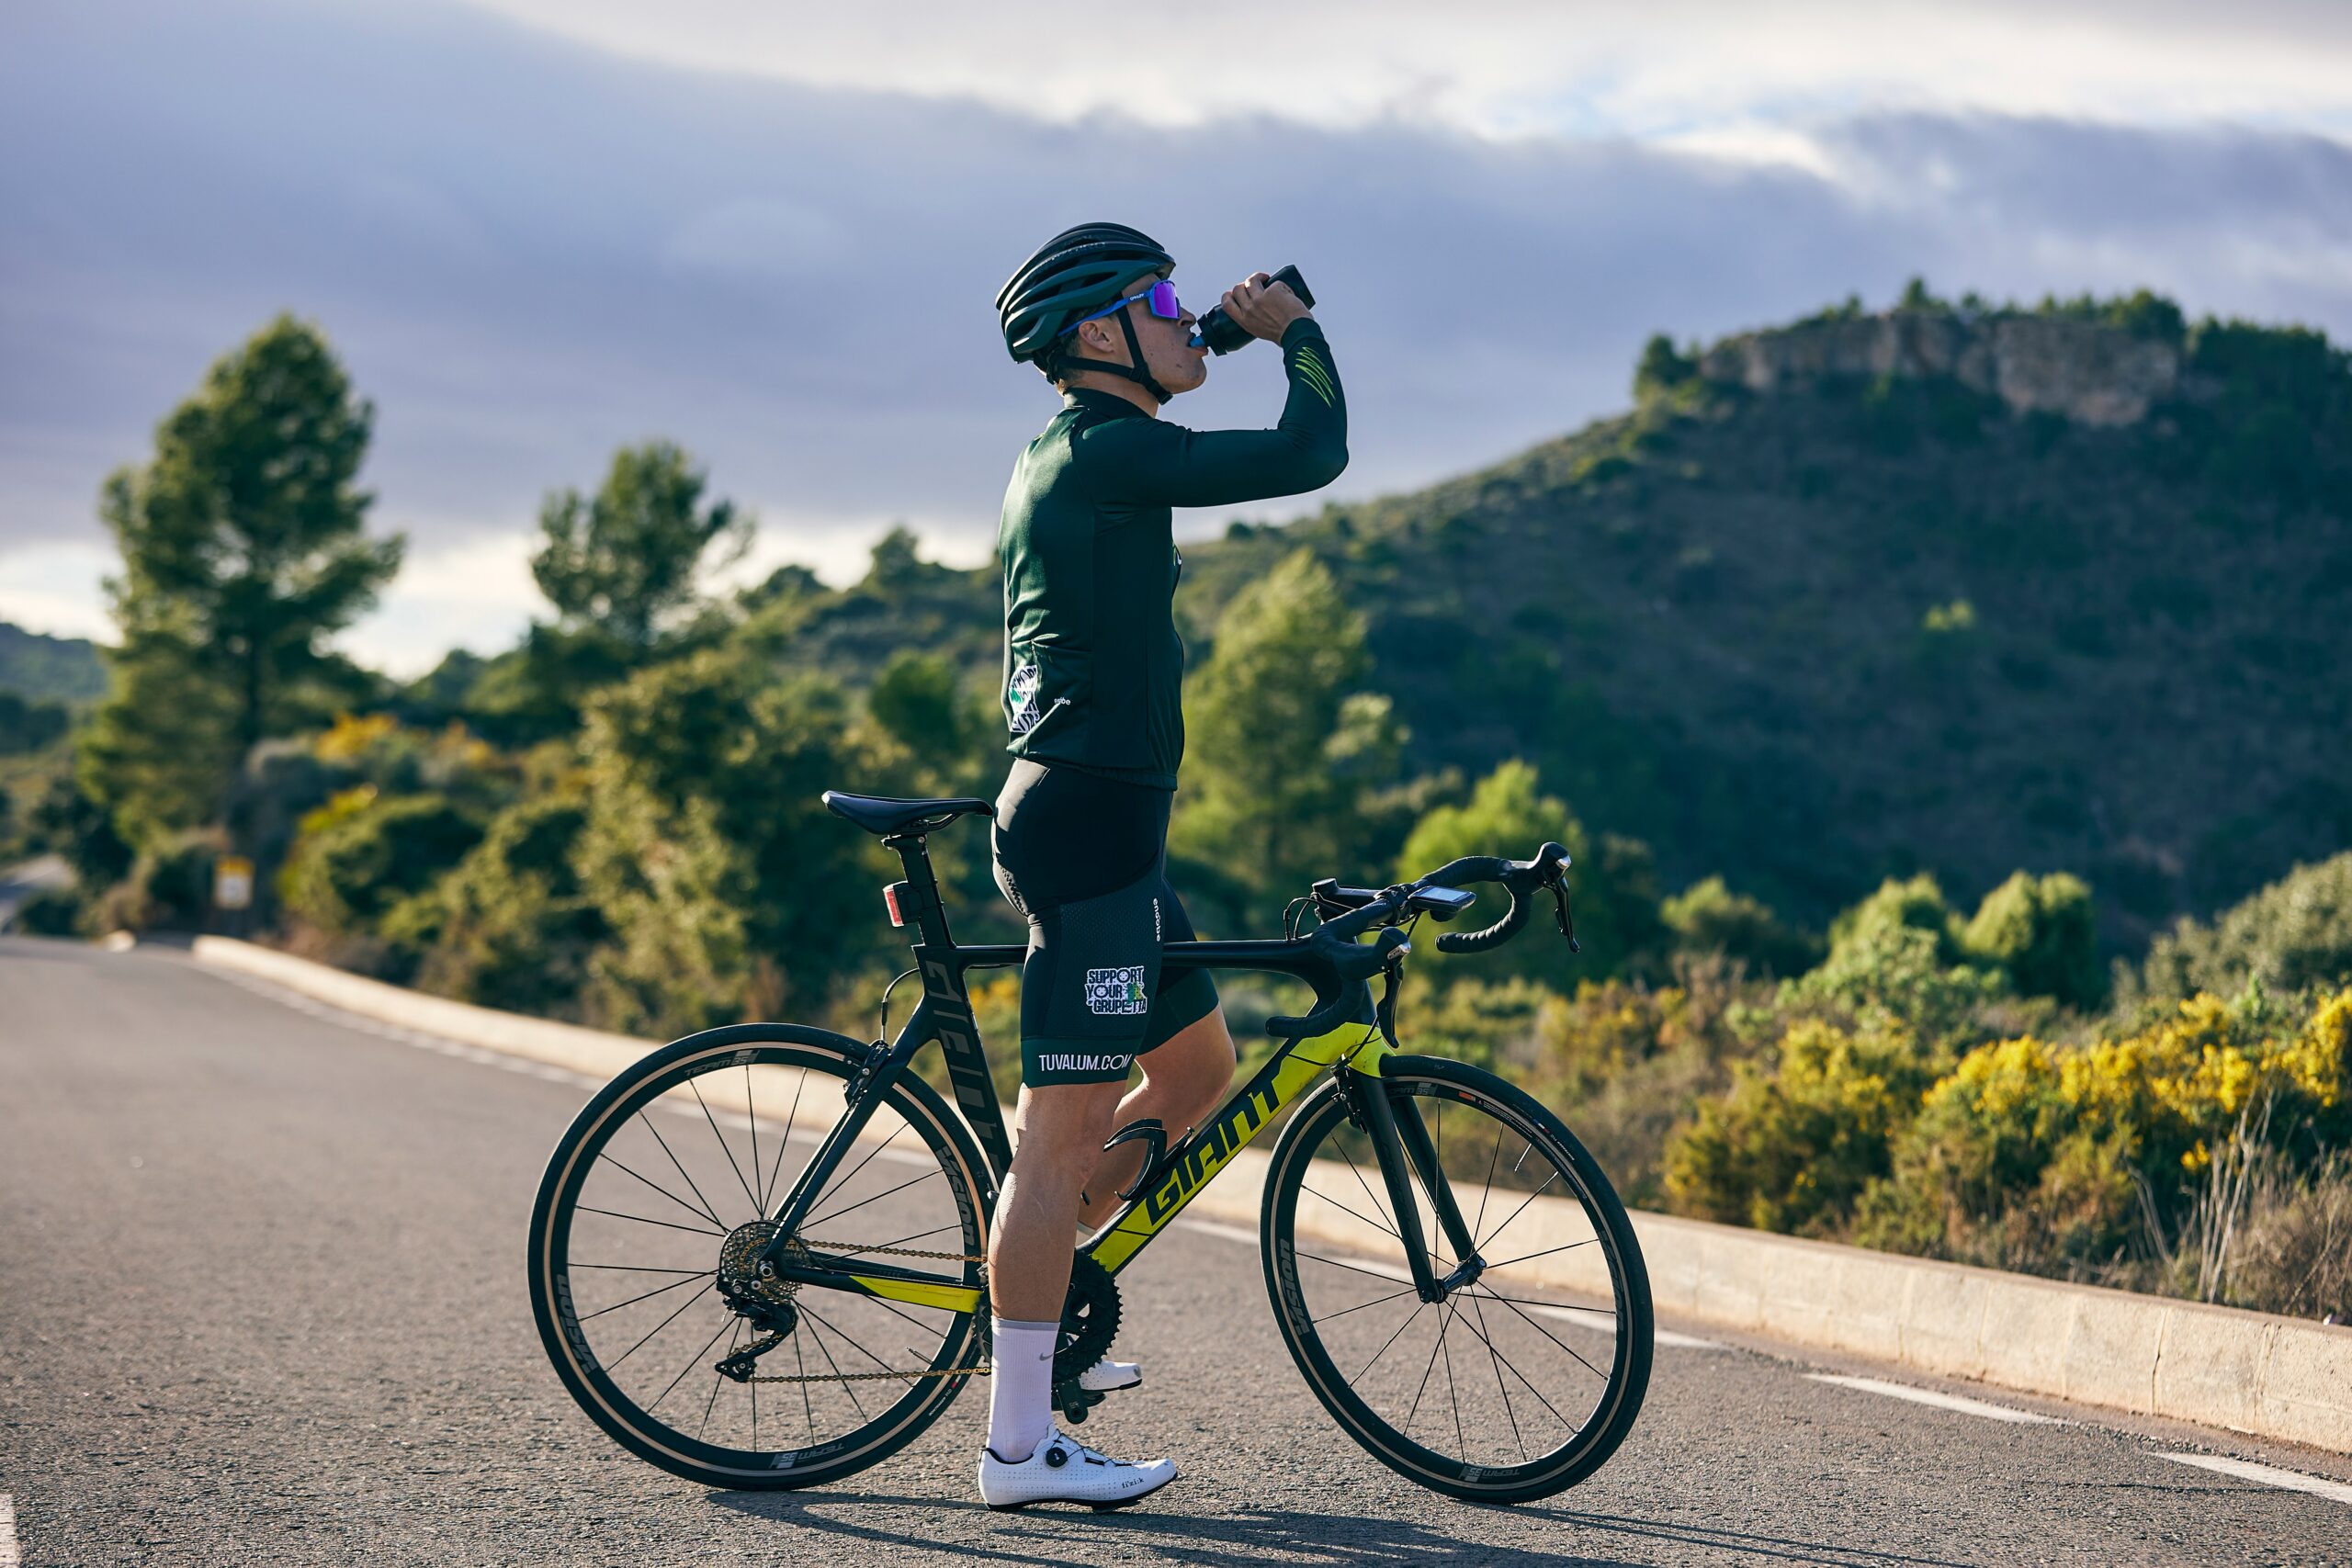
(756, 1045)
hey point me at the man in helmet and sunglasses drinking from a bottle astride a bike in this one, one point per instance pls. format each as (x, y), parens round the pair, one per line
(1093, 699)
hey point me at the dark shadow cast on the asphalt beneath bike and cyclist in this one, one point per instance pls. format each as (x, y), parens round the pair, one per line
(1257, 1534)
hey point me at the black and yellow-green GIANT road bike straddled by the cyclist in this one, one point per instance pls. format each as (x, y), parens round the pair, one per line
(789, 1209)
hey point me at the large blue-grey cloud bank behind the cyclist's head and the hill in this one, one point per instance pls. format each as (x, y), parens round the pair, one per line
(533, 253)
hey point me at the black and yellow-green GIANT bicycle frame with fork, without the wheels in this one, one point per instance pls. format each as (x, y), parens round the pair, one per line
(944, 1014)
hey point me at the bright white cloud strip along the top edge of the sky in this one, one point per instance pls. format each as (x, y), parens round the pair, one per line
(1516, 67)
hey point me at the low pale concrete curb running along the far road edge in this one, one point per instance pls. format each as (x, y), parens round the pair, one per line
(2217, 1367)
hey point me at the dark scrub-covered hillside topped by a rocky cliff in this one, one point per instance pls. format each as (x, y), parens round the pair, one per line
(1946, 587)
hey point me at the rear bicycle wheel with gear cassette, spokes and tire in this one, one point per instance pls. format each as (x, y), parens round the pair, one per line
(674, 1172)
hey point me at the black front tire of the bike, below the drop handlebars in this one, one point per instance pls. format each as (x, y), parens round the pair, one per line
(1633, 1343)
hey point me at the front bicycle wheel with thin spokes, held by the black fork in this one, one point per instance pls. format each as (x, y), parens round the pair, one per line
(1518, 1383)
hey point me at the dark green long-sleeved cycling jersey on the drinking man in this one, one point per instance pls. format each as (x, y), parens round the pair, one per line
(1093, 659)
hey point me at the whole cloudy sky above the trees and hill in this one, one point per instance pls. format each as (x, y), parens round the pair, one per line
(540, 229)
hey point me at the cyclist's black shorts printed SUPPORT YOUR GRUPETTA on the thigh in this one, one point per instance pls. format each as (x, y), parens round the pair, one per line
(1085, 862)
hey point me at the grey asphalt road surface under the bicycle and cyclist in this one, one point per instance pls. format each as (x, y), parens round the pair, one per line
(262, 1301)
